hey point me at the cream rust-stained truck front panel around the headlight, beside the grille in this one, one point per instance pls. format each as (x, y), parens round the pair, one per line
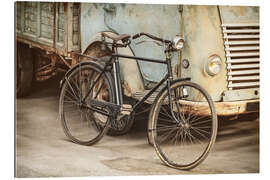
(203, 37)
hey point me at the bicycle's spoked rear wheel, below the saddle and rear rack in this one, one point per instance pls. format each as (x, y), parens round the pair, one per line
(81, 125)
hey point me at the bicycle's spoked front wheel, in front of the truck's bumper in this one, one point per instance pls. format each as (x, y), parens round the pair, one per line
(184, 133)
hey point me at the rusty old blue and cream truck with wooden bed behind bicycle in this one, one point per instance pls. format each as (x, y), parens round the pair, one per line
(221, 50)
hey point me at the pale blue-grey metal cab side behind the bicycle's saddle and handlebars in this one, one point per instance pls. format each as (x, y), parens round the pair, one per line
(160, 20)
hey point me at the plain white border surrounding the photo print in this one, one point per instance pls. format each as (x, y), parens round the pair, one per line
(7, 90)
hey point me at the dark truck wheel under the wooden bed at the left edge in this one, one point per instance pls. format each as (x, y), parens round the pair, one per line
(24, 70)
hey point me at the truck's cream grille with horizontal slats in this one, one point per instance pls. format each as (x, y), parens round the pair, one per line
(242, 48)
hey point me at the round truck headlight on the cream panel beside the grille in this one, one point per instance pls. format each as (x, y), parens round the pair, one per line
(213, 66)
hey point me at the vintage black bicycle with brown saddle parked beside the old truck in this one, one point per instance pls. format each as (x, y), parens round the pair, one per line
(182, 116)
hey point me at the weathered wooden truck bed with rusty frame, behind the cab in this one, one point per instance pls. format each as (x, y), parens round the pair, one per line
(50, 26)
